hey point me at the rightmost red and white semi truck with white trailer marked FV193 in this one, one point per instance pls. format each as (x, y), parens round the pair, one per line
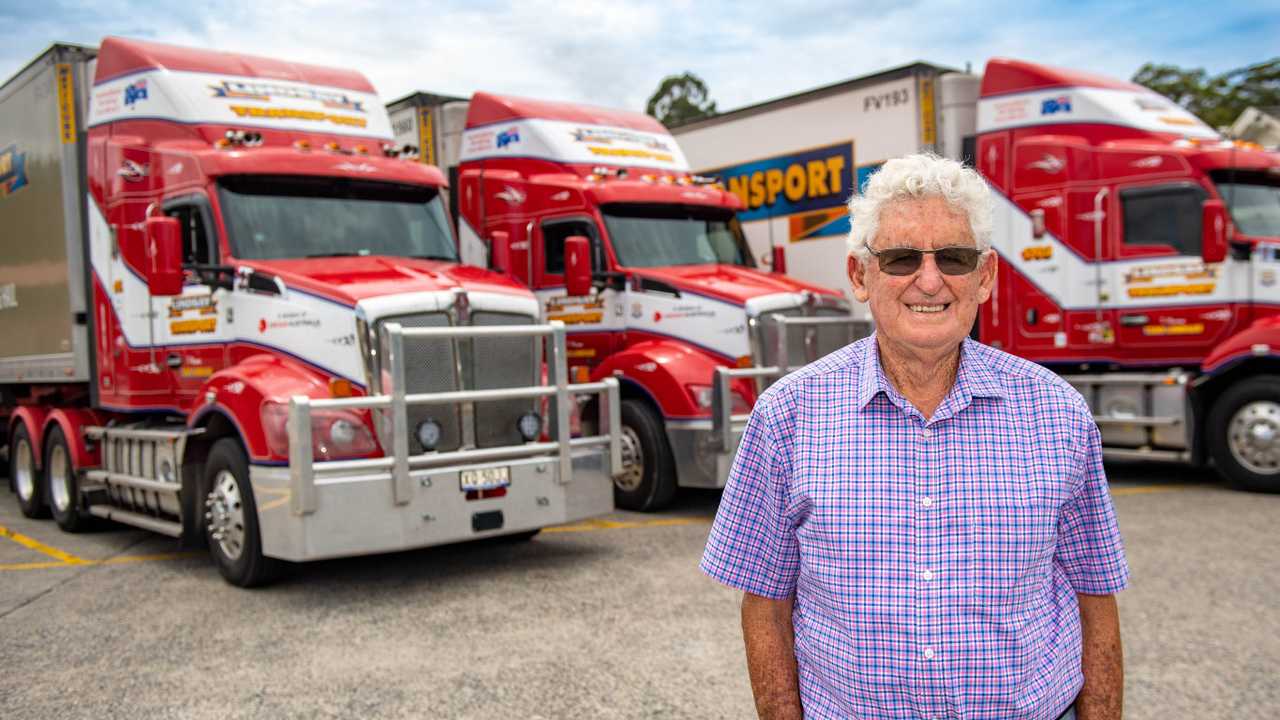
(1139, 250)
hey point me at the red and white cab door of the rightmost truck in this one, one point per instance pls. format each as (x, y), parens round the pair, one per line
(1172, 306)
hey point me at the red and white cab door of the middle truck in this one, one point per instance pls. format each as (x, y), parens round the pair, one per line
(593, 321)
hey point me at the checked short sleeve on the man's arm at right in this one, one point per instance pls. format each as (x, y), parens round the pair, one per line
(1090, 550)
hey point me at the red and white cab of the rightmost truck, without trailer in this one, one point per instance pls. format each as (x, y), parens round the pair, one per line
(1139, 259)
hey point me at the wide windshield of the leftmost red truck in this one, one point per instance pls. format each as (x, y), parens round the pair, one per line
(275, 217)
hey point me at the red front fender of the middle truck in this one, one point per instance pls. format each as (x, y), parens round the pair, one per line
(664, 370)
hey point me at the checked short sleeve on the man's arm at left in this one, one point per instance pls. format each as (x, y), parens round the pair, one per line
(753, 544)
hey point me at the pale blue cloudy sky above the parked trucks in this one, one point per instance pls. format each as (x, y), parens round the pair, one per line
(618, 53)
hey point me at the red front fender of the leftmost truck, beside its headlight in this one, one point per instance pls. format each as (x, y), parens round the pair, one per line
(239, 393)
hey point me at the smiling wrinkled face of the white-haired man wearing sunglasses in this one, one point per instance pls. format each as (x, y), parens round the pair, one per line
(926, 312)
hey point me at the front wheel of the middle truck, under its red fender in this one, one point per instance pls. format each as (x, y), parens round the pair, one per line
(648, 480)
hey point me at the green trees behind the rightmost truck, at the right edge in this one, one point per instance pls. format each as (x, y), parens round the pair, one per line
(1215, 99)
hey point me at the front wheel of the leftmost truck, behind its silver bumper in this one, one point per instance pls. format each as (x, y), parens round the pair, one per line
(231, 518)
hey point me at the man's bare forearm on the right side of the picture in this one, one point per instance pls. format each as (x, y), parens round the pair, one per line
(1101, 659)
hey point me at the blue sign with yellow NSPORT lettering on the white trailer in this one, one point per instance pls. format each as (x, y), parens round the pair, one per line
(787, 185)
